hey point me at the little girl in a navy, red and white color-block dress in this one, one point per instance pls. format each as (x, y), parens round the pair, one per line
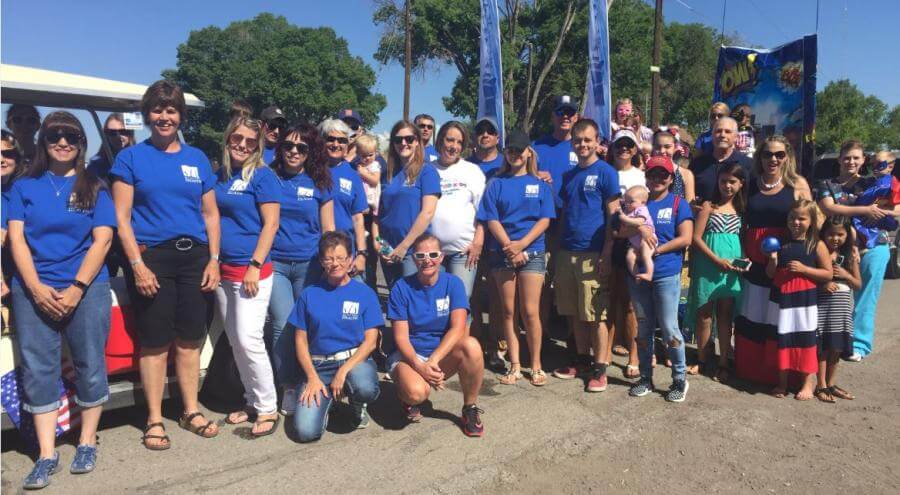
(795, 269)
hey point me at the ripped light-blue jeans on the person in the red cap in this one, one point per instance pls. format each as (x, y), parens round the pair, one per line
(657, 304)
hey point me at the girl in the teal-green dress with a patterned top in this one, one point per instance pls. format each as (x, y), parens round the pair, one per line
(715, 279)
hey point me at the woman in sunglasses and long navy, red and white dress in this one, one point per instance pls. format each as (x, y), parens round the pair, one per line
(771, 193)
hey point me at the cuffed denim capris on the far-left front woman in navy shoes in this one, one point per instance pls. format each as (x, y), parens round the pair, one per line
(40, 348)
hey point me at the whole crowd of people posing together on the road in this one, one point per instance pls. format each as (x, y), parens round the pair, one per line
(292, 223)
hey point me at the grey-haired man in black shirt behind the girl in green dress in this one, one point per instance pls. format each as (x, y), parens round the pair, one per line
(706, 166)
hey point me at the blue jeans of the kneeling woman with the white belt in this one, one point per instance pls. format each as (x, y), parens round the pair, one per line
(361, 387)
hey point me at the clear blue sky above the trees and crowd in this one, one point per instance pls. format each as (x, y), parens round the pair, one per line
(134, 41)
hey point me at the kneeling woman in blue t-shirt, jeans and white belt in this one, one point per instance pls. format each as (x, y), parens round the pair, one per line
(336, 326)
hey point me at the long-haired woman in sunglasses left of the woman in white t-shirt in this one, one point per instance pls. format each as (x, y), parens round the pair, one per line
(408, 201)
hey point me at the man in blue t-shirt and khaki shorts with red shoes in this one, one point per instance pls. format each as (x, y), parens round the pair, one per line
(589, 194)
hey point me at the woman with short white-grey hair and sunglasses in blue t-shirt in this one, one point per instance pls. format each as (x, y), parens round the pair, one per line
(349, 194)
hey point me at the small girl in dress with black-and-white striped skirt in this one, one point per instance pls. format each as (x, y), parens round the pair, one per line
(835, 303)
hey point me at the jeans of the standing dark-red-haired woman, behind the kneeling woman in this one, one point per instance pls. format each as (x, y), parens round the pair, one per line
(290, 278)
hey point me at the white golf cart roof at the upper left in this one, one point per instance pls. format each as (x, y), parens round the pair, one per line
(50, 88)
